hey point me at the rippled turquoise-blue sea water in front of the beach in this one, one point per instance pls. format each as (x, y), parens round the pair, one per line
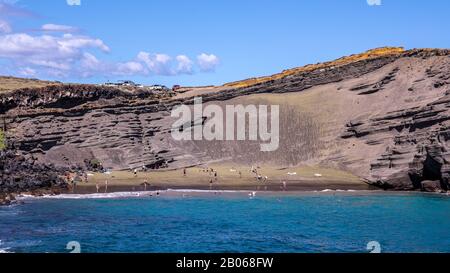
(312, 222)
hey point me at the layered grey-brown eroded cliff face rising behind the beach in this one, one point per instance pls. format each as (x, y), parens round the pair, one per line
(383, 117)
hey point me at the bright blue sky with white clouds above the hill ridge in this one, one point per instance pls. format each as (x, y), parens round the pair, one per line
(203, 42)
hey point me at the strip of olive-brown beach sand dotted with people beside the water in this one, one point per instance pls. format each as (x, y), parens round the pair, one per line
(305, 178)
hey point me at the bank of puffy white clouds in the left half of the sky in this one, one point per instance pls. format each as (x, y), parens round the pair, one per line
(60, 51)
